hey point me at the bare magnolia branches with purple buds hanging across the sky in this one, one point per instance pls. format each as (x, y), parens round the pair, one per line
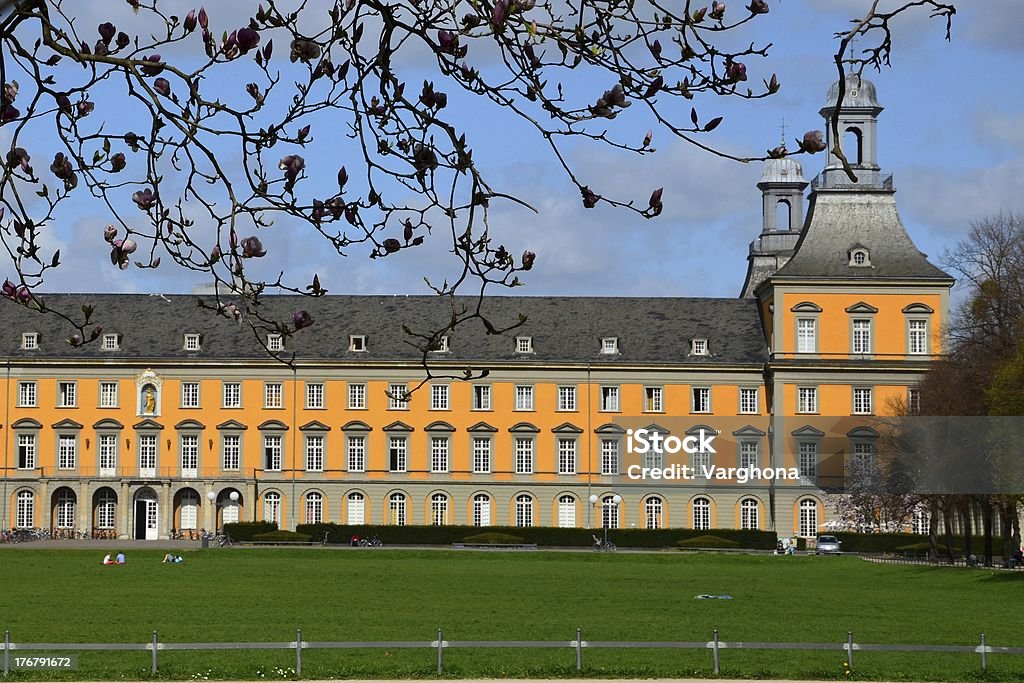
(203, 138)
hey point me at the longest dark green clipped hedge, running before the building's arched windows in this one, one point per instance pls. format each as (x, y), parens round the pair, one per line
(542, 536)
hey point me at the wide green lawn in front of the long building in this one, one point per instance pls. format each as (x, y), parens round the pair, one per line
(335, 594)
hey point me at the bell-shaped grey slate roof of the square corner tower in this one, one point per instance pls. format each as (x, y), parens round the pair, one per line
(838, 221)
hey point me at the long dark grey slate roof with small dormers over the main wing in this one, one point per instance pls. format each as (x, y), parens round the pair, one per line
(565, 329)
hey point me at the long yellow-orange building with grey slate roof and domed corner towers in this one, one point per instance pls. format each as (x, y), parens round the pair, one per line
(178, 422)
